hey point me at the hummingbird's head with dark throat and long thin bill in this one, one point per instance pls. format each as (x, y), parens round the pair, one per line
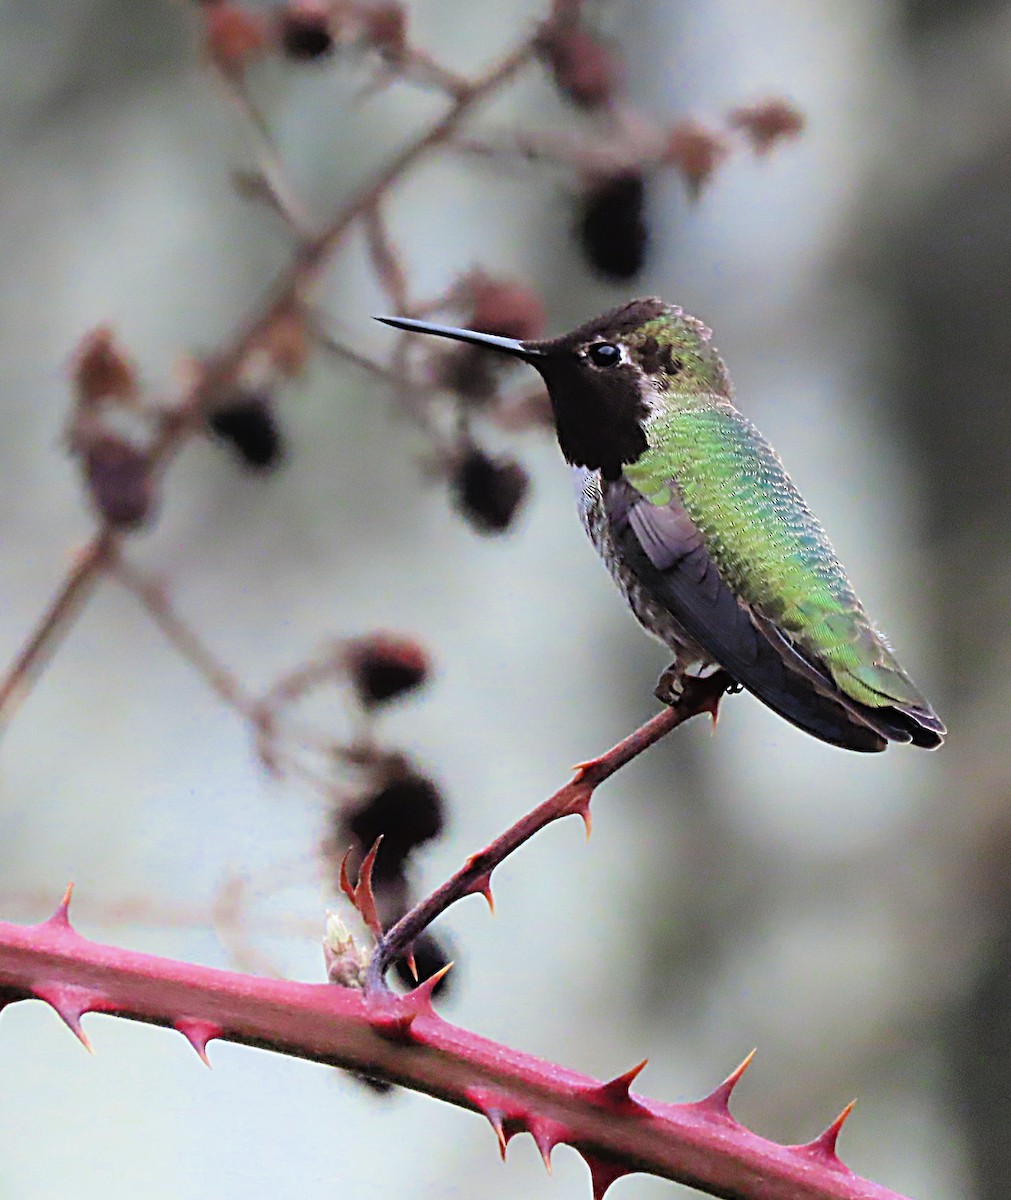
(611, 376)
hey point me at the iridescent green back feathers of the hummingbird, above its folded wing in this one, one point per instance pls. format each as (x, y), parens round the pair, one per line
(767, 543)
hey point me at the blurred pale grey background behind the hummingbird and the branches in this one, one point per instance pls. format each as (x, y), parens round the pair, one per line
(850, 916)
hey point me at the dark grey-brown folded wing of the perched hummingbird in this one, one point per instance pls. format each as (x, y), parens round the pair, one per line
(673, 561)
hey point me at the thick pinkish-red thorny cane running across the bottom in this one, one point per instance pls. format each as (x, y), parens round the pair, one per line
(402, 1040)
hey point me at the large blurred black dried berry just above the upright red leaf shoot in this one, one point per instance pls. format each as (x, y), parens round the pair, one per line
(406, 811)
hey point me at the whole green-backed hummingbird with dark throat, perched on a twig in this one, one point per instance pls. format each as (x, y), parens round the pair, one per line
(713, 547)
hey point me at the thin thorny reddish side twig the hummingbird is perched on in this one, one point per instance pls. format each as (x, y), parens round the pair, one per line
(475, 877)
